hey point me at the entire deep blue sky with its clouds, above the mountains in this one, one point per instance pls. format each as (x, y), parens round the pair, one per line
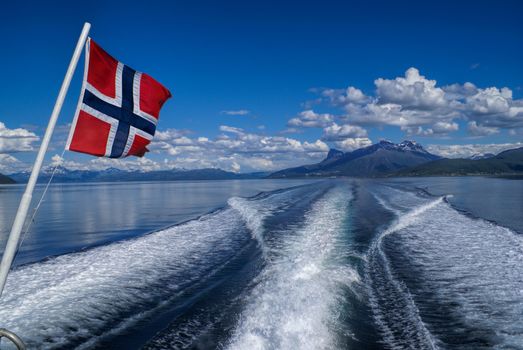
(260, 85)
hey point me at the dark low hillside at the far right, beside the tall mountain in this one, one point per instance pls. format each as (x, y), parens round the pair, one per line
(506, 163)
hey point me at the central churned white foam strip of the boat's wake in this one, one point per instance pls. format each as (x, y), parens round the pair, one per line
(294, 304)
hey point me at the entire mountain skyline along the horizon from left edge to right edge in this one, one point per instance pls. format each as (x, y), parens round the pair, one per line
(383, 159)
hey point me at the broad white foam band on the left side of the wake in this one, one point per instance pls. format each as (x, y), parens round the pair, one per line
(82, 297)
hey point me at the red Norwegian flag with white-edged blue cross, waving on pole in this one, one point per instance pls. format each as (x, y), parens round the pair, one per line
(118, 108)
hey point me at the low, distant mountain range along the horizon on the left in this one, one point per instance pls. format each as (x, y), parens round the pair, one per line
(116, 175)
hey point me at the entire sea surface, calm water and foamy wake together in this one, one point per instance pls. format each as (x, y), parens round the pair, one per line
(335, 264)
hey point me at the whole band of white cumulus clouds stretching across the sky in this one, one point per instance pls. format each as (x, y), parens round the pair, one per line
(413, 103)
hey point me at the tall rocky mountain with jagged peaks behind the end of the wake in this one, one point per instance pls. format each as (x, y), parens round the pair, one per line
(379, 159)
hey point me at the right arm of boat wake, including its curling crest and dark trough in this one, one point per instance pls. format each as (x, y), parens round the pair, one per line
(440, 279)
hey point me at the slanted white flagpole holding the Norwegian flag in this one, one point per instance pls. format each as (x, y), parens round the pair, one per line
(14, 236)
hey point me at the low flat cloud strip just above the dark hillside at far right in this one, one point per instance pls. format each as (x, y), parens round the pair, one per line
(468, 150)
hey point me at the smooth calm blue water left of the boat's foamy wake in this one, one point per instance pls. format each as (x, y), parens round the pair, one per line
(76, 216)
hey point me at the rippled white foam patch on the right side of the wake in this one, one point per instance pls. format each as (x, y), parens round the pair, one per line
(474, 264)
